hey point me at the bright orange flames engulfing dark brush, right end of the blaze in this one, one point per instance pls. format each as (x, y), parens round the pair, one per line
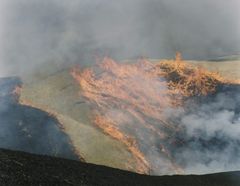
(186, 80)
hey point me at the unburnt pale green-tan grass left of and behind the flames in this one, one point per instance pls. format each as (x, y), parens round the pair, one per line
(53, 89)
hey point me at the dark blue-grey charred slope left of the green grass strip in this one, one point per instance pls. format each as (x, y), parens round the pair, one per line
(29, 129)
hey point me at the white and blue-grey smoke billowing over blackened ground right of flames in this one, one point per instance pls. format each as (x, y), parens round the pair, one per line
(211, 134)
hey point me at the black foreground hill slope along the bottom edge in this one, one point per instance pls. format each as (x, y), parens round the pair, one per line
(24, 169)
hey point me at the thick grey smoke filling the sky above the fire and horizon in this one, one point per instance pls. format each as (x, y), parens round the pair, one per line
(55, 31)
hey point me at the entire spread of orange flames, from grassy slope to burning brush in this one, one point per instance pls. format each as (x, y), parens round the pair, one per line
(129, 100)
